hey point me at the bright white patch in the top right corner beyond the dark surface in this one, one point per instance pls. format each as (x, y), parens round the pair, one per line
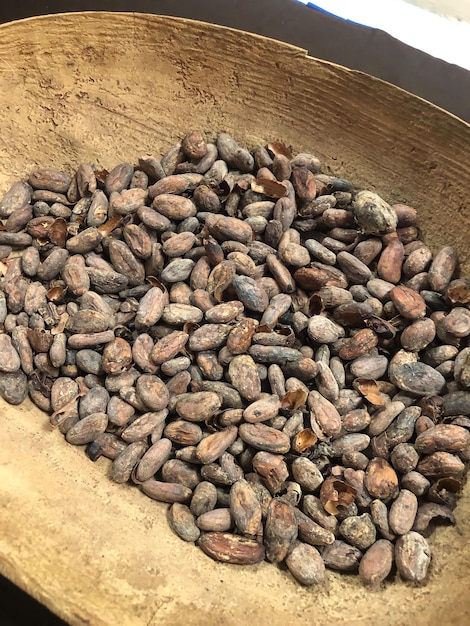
(441, 37)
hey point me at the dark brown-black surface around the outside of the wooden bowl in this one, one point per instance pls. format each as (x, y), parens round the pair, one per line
(324, 36)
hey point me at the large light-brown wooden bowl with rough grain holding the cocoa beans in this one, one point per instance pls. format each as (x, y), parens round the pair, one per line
(107, 87)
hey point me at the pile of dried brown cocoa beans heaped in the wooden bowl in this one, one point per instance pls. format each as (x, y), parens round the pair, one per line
(267, 348)
